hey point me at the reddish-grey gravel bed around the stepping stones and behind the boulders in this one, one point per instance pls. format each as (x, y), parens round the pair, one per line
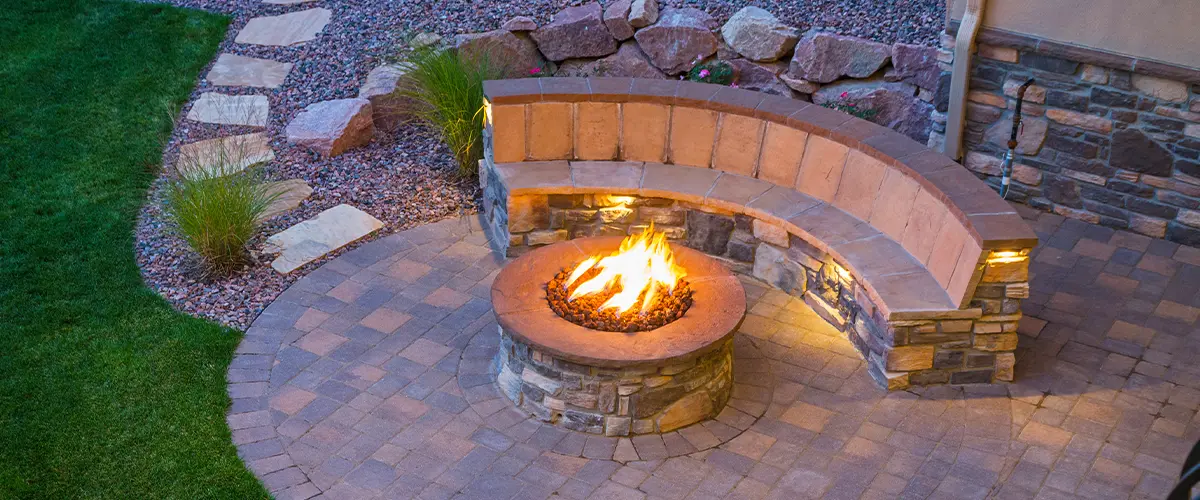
(404, 179)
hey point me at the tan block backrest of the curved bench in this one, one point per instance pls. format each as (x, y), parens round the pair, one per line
(866, 188)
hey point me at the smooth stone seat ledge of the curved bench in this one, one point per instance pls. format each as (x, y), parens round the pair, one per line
(868, 255)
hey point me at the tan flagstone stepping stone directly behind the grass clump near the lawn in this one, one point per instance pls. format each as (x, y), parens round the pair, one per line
(224, 156)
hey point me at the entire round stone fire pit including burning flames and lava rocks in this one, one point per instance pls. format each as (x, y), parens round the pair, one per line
(609, 362)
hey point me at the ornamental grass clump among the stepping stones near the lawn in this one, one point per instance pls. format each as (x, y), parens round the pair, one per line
(217, 204)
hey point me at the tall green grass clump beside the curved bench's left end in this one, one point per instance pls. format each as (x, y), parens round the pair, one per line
(448, 91)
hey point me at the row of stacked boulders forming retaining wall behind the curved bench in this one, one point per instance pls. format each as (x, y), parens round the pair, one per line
(899, 86)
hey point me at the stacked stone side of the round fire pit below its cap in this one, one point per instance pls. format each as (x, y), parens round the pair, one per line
(635, 400)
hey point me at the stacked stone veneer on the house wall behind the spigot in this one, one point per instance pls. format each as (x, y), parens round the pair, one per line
(1115, 142)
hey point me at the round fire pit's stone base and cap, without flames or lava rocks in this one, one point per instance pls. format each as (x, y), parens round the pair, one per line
(615, 383)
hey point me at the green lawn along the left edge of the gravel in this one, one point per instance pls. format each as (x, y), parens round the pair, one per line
(105, 391)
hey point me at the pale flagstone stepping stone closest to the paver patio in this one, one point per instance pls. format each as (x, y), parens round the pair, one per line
(310, 240)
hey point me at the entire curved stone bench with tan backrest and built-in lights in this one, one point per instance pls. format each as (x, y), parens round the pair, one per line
(914, 258)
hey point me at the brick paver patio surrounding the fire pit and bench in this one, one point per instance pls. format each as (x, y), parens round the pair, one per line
(371, 378)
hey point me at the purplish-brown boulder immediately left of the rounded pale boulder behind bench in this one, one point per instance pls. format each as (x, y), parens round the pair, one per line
(679, 40)
